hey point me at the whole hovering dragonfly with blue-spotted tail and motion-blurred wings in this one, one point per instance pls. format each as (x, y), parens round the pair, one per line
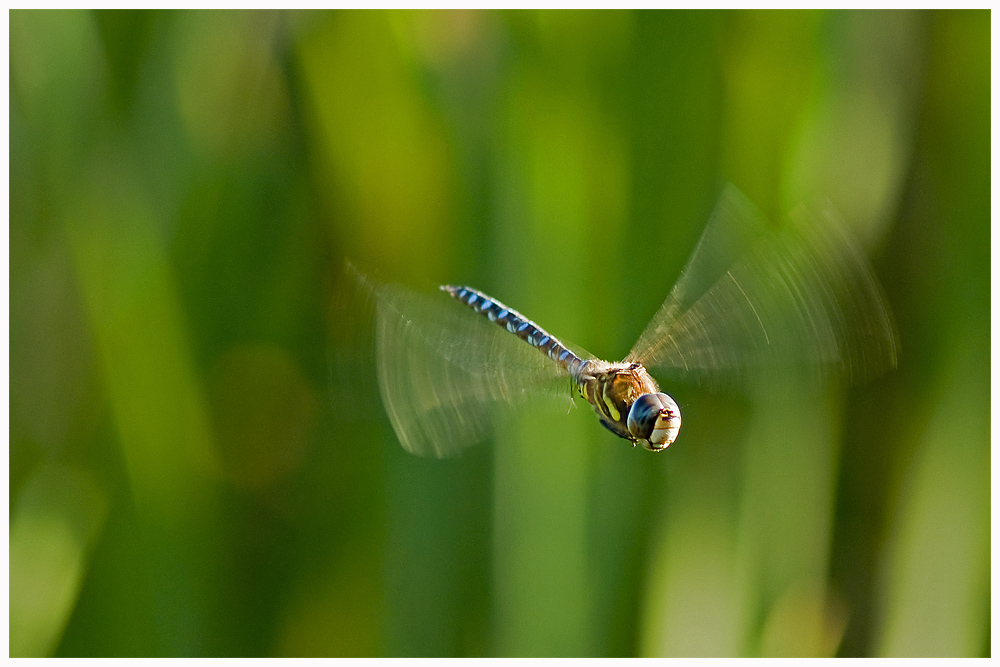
(751, 300)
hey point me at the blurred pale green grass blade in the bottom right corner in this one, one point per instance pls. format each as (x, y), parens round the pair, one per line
(937, 569)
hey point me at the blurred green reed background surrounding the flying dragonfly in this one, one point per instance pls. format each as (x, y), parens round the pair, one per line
(199, 460)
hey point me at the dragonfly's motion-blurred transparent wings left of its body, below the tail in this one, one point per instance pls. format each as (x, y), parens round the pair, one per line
(446, 374)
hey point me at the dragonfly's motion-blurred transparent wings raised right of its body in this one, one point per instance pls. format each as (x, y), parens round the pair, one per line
(752, 300)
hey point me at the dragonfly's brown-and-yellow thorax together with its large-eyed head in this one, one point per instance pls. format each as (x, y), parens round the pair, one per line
(629, 403)
